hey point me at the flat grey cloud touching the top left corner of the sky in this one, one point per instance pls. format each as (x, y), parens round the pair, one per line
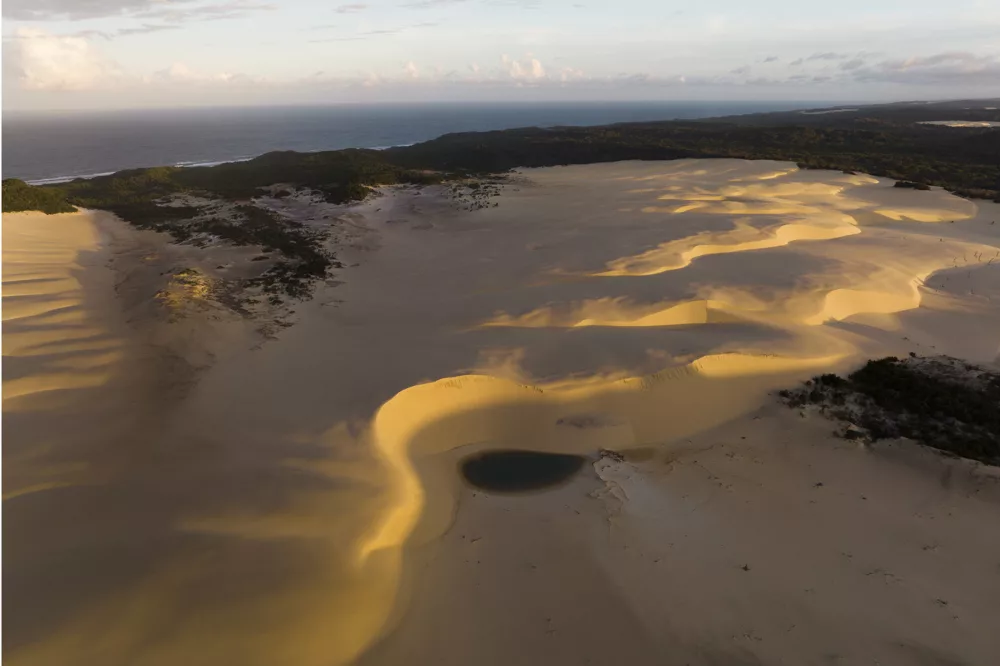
(168, 10)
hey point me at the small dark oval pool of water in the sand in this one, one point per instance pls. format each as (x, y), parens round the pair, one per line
(517, 471)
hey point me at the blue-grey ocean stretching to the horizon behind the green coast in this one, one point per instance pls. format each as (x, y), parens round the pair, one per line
(52, 146)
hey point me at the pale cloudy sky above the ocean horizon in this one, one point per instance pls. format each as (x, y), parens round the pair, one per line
(109, 54)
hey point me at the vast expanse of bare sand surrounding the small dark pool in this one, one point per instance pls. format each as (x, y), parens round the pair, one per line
(299, 502)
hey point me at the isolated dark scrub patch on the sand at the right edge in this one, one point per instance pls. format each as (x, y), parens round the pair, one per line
(940, 402)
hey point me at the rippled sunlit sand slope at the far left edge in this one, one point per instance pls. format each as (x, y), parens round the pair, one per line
(61, 345)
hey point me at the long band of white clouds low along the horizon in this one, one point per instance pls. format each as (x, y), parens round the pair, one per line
(39, 61)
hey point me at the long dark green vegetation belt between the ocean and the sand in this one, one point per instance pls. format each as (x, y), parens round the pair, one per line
(881, 140)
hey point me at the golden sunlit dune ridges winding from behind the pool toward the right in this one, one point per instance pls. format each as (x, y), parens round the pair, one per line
(881, 284)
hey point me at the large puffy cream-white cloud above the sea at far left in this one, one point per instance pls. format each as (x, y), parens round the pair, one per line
(43, 61)
